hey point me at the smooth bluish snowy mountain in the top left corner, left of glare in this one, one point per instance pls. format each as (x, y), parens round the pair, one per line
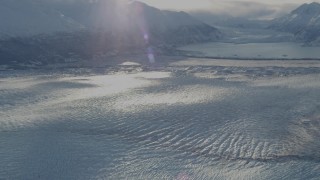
(27, 17)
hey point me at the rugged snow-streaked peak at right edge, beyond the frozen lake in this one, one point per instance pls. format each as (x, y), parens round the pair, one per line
(303, 22)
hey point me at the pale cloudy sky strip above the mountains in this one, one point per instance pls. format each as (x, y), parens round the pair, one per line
(255, 8)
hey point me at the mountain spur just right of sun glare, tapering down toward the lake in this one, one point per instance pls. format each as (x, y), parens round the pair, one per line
(175, 27)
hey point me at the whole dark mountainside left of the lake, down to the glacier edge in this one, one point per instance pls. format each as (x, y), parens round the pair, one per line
(43, 32)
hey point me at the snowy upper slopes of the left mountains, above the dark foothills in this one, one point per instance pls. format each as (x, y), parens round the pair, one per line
(33, 17)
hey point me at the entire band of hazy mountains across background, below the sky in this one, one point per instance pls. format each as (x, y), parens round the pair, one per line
(40, 32)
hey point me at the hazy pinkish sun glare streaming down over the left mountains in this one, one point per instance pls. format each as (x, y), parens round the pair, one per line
(129, 18)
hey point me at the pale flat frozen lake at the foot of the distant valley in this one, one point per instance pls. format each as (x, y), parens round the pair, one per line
(256, 50)
